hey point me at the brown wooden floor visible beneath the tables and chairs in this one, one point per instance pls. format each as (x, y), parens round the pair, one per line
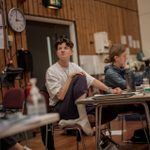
(65, 142)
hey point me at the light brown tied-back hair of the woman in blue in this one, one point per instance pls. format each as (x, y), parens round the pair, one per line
(115, 50)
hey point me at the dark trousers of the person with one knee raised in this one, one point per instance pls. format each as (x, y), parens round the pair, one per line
(67, 108)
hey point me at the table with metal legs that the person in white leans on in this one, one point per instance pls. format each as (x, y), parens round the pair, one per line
(107, 100)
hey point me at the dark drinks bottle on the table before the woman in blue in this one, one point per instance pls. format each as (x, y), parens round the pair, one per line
(130, 81)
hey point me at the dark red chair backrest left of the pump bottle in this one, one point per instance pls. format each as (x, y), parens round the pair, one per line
(14, 99)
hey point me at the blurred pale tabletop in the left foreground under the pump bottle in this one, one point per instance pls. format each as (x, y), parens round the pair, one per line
(25, 123)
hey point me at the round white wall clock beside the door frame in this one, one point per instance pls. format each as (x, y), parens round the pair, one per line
(16, 19)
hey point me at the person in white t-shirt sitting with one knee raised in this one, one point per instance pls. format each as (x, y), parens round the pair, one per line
(67, 82)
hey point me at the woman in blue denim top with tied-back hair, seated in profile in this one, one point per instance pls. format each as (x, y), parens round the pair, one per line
(115, 72)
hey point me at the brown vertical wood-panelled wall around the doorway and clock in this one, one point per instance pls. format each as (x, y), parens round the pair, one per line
(117, 17)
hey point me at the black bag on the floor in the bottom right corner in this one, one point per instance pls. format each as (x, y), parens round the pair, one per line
(139, 136)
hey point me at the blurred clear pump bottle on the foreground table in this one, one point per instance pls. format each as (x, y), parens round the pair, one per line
(35, 102)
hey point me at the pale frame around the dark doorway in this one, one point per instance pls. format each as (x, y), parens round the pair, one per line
(72, 31)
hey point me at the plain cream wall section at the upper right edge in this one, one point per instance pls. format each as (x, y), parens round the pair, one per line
(144, 16)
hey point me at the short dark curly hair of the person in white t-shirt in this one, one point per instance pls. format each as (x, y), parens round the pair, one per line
(68, 42)
